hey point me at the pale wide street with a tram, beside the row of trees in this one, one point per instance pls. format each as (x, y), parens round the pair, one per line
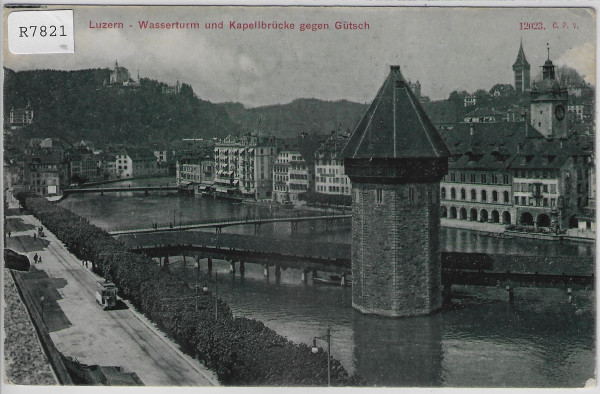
(83, 330)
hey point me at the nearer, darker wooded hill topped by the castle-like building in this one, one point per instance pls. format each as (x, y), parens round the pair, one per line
(75, 105)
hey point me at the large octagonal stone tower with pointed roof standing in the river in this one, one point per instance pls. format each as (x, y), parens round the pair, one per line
(395, 159)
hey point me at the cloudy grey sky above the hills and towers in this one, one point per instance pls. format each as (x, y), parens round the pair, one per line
(445, 48)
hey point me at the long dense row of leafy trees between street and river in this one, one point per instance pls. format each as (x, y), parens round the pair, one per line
(241, 351)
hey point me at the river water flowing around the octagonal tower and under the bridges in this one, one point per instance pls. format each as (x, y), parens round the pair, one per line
(480, 340)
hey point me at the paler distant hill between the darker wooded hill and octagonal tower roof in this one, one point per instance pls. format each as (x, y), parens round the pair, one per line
(302, 115)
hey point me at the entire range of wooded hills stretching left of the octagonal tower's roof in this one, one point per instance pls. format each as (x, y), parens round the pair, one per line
(76, 105)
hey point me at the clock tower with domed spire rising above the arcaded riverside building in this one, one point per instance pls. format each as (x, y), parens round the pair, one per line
(548, 102)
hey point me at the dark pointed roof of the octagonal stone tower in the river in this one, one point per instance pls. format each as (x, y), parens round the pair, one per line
(395, 126)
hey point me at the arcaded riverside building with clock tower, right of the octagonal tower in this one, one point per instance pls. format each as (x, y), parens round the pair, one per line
(529, 173)
